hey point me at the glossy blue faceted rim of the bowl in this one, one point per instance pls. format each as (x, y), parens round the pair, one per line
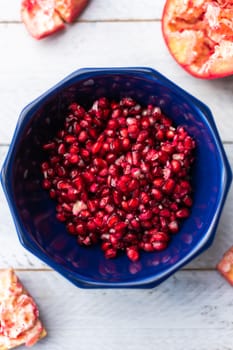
(79, 74)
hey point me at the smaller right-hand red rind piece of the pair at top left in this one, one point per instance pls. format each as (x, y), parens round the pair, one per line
(69, 10)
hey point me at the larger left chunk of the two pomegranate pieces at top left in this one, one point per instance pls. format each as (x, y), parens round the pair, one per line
(40, 18)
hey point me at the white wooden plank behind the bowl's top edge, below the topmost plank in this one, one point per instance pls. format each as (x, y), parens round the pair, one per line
(36, 66)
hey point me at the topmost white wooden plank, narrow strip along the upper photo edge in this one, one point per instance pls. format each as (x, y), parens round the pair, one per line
(100, 10)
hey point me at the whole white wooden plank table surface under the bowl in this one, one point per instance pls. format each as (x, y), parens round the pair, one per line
(194, 308)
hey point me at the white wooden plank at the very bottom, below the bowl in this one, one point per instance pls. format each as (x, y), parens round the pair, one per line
(191, 310)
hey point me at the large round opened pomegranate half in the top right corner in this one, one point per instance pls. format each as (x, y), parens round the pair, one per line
(199, 35)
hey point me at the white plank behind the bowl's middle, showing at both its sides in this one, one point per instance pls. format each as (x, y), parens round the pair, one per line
(14, 255)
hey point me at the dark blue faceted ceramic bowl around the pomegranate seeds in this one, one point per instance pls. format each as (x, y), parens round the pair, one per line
(34, 212)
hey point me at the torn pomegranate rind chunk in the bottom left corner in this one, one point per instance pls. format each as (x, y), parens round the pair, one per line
(19, 315)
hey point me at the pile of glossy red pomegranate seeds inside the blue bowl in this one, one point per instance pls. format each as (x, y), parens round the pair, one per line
(120, 174)
